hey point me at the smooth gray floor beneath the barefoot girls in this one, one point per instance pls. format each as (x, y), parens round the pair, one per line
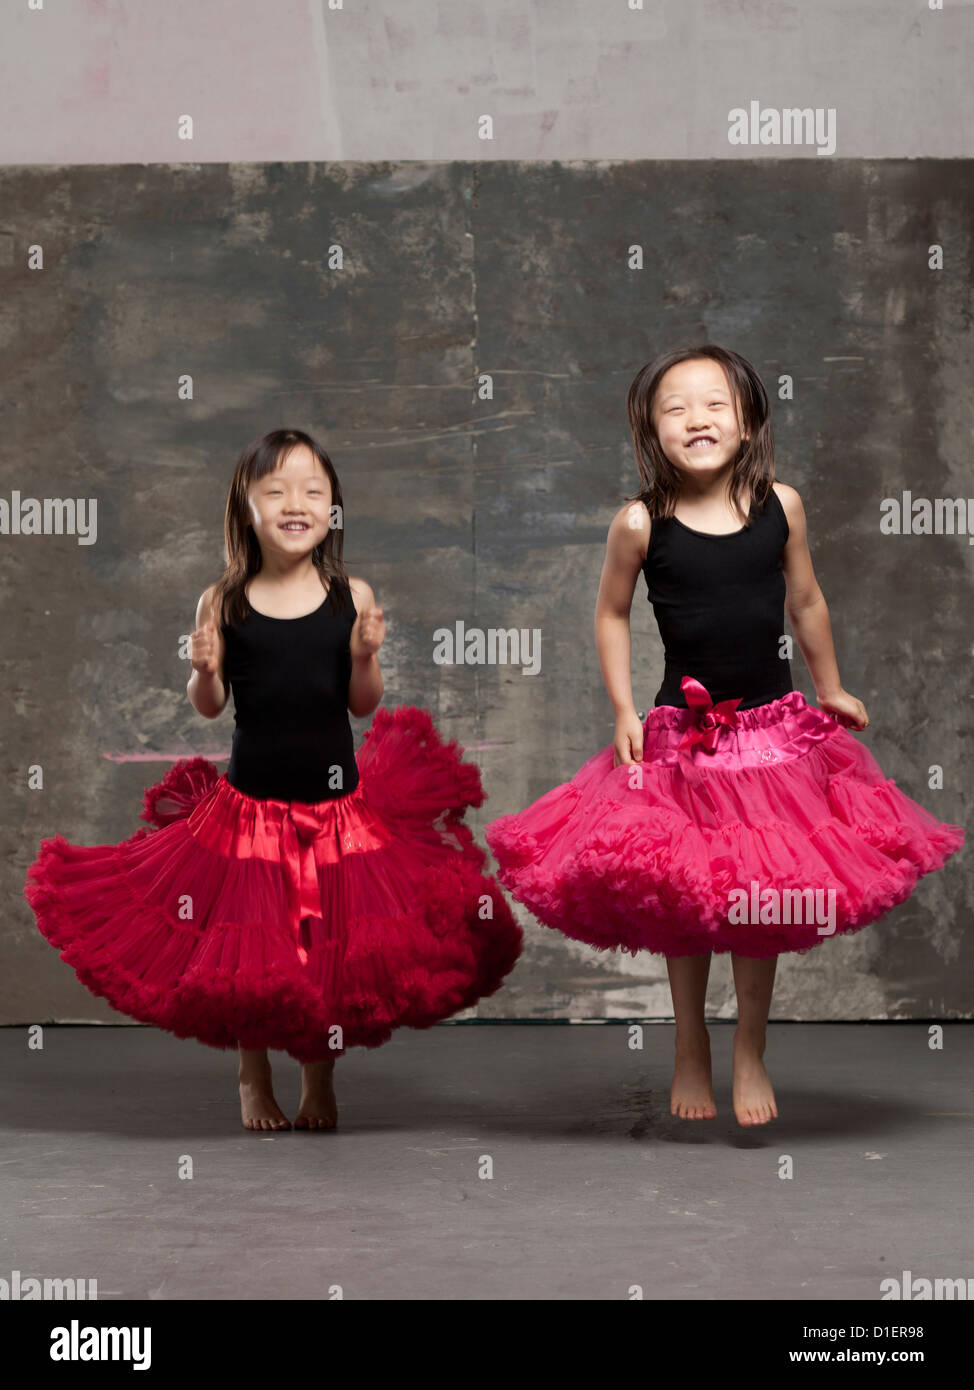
(595, 1186)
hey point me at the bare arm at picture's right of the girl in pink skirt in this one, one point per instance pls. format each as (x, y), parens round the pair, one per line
(808, 614)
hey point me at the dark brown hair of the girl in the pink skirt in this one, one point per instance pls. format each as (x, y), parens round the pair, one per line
(754, 468)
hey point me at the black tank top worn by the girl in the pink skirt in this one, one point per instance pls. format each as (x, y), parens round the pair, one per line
(720, 607)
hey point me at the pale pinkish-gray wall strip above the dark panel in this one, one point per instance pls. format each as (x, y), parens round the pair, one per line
(105, 83)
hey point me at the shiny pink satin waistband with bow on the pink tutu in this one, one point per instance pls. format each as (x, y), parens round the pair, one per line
(725, 737)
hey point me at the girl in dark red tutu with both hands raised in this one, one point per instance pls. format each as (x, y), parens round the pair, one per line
(308, 900)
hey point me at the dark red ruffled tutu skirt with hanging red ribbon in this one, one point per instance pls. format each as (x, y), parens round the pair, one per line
(298, 926)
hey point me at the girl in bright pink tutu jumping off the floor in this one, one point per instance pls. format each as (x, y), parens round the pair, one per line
(737, 817)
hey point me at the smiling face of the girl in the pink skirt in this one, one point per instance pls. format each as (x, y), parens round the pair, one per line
(694, 402)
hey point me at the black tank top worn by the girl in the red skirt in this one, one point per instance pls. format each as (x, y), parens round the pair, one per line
(291, 686)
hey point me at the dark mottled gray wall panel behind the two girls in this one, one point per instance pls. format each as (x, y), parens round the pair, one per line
(494, 512)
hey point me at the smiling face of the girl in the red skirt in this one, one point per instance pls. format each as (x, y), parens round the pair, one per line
(290, 509)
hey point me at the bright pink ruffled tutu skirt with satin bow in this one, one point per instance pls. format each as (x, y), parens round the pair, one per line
(759, 835)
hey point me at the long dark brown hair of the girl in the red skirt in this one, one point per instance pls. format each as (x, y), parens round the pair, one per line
(244, 558)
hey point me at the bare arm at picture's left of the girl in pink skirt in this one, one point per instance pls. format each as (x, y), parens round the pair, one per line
(626, 551)
